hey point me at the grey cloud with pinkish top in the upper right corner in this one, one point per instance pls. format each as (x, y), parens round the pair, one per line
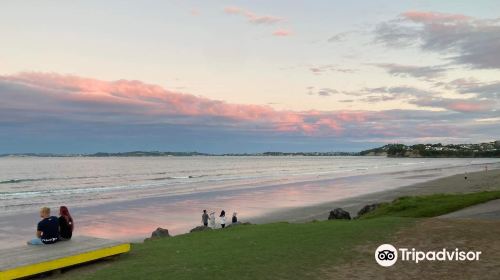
(461, 39)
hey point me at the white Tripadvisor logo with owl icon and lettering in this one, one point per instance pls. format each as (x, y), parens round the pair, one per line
(387, 255)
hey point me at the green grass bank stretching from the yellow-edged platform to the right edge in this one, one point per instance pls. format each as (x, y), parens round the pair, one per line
(279, 250)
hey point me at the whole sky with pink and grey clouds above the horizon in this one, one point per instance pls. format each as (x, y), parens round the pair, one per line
(246, 76)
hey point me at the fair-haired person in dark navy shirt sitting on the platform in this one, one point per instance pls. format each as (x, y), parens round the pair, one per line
(47, 231)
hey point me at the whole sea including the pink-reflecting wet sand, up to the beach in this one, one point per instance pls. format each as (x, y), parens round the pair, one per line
(129, 197)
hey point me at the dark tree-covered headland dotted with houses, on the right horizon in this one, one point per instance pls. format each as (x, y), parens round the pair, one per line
(490, 149)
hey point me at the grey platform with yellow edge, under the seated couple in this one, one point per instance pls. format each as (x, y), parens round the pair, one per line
(29, 260)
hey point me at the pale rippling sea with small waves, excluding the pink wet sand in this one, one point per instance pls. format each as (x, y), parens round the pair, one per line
(32, 182)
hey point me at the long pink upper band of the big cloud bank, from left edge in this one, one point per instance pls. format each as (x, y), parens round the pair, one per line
(124, 97)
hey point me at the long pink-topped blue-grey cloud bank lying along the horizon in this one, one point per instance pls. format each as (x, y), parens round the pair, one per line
(41, 105)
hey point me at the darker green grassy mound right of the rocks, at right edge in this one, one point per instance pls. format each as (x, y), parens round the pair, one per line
(430, 205)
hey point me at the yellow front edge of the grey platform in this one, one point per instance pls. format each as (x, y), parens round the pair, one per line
(37, 268)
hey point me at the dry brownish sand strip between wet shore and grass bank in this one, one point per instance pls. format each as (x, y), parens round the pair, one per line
(477, 181)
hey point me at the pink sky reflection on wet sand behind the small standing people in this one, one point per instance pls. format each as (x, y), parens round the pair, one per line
(179, 216)
